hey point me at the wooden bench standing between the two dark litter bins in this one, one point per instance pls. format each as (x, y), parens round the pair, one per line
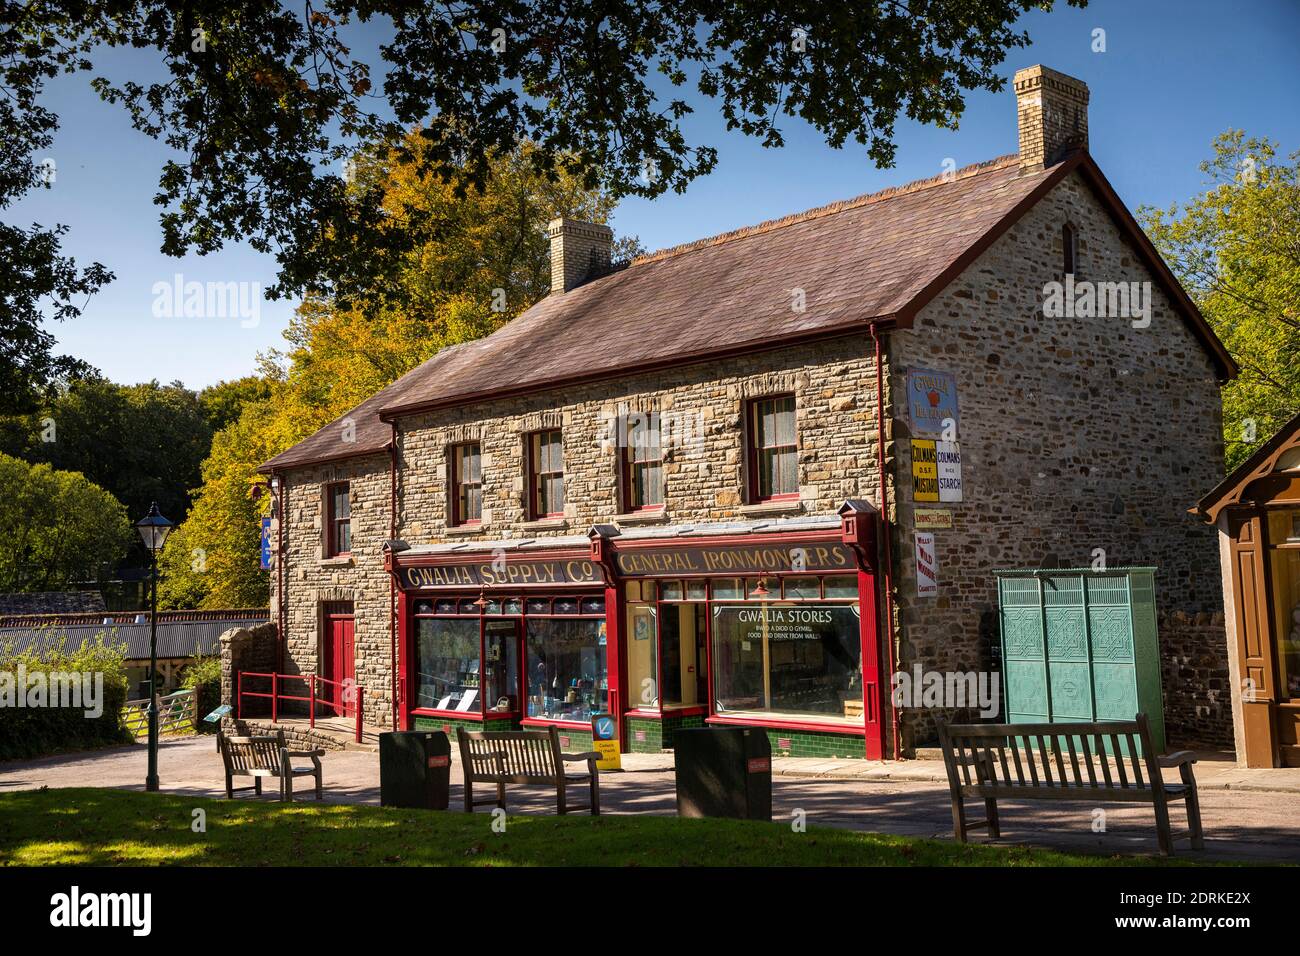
(528, 759)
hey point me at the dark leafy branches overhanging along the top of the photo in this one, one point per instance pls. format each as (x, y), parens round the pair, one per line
(266, 105)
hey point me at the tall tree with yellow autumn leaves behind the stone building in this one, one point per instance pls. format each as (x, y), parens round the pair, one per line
(488, 263)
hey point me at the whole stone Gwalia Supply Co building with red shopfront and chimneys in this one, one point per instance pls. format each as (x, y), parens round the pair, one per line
(696, 488)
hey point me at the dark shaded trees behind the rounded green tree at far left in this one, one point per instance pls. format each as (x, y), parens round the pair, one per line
(142, 443)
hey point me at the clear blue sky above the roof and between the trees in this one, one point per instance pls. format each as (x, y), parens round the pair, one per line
(1173, 76)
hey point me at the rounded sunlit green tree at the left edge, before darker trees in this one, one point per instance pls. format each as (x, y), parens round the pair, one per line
(59, 527)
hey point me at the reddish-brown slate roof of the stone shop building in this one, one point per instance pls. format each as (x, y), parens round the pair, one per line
(873, 259)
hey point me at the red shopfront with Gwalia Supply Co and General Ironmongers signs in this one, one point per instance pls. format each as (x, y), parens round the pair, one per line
(773, 630)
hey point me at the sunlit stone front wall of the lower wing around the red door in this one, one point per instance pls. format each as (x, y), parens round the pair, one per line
(317, 581)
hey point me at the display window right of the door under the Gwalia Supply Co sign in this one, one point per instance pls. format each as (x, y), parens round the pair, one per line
(566, 669)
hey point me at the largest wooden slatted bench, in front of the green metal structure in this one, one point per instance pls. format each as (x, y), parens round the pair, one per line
(1056, 762)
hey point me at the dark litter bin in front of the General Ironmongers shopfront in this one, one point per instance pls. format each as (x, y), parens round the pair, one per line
(723, 772)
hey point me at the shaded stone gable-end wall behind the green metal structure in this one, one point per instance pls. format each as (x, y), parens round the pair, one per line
(1076, 434)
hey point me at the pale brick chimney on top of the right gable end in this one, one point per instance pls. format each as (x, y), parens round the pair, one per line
(1052, 110)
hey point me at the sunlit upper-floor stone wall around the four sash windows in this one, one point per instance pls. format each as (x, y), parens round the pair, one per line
(834, 384)
